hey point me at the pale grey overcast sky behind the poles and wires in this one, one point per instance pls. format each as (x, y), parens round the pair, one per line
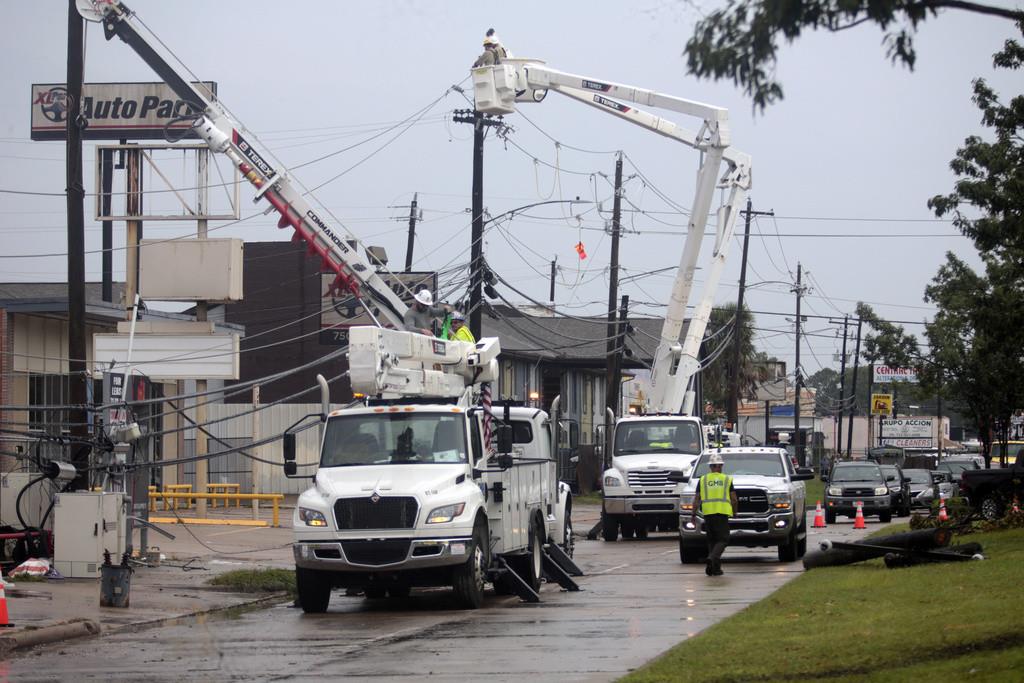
(847, 161)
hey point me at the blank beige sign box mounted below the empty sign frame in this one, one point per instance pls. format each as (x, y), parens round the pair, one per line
(191, 270)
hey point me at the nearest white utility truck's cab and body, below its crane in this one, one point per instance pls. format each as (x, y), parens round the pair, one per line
(404, 497)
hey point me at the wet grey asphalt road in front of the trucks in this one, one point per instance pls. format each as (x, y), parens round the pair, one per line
(637, 602)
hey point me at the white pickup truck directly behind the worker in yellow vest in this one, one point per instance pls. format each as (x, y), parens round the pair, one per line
(773, 503)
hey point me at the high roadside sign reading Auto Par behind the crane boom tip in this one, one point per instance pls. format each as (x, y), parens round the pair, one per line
(114, 111)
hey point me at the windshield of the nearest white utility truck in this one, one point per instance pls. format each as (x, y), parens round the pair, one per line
(391, 439)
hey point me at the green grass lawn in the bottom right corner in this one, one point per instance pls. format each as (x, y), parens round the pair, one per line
(864, 622)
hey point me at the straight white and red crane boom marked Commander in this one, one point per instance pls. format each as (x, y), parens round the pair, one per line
(354, 273)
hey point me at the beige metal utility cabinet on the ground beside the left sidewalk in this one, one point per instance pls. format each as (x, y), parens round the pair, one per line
(84, 526)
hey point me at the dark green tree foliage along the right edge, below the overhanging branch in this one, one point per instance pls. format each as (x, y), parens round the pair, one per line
(974, 351)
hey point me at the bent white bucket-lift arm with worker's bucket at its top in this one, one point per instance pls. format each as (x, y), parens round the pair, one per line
(497, 89)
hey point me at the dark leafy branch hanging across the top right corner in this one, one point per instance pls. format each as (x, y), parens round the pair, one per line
(741, 42)
